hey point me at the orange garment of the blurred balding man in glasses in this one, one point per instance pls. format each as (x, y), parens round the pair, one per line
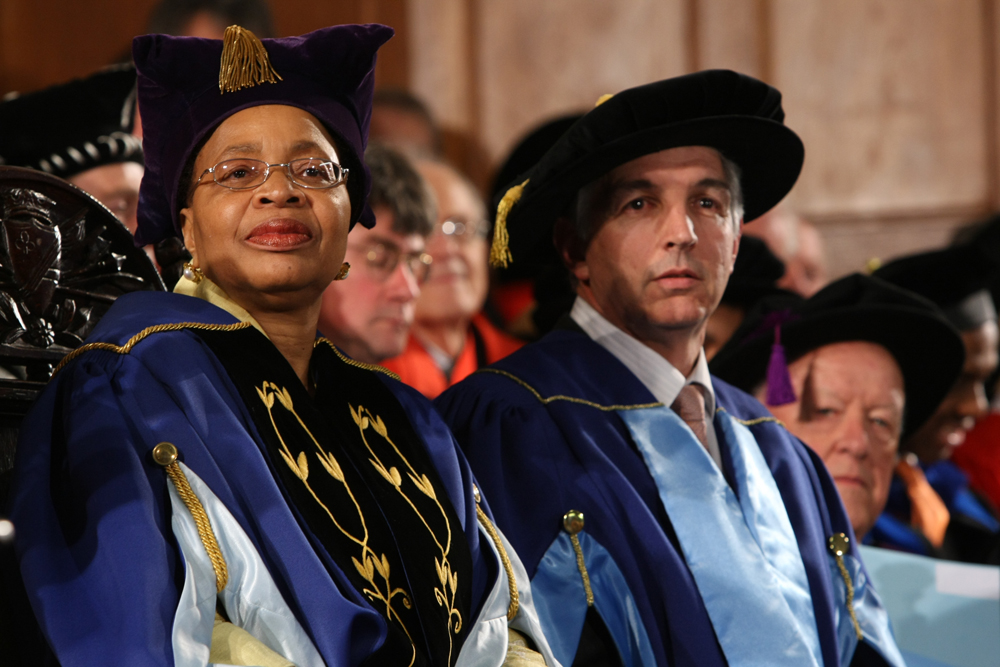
(416, 367)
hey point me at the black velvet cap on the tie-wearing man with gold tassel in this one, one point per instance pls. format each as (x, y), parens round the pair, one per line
(737, 115)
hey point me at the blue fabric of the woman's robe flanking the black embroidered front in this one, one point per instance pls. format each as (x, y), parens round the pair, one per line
(100, 560)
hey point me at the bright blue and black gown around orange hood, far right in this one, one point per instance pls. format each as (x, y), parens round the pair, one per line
(973, 533)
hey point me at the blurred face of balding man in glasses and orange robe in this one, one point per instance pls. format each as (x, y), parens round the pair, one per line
(459, 278)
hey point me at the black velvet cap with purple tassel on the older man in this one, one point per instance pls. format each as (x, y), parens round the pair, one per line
(927, 348)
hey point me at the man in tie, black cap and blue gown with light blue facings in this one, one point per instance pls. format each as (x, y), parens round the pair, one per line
(664, 516)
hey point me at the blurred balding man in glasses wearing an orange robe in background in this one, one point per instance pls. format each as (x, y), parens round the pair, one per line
(450, 337)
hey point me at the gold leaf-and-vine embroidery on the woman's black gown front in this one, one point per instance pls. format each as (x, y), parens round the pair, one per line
(372, 563)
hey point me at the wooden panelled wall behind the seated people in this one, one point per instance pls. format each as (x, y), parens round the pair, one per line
(896, 100)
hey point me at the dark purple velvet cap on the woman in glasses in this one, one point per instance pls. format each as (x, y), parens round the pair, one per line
(329, 72)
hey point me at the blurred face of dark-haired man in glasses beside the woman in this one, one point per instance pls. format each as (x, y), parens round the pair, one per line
(369, 314)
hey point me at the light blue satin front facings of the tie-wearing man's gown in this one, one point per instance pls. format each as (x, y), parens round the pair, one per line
(742, 551)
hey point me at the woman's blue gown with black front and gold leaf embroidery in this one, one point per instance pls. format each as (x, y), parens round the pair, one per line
(347, 519)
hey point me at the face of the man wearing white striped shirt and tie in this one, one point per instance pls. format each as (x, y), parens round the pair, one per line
(662, 245)
